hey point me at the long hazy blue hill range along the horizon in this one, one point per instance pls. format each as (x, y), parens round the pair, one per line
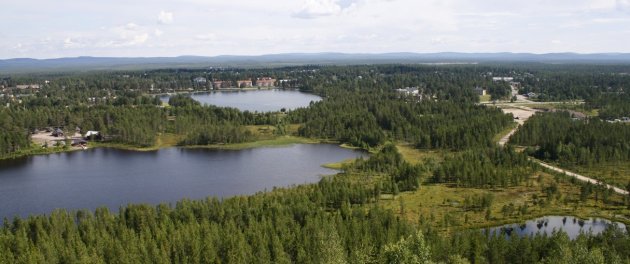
(122, 63)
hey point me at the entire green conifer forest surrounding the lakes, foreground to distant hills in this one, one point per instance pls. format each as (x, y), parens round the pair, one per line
(347, 217)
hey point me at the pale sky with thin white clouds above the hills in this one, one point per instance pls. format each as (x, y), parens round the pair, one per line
(150, 28)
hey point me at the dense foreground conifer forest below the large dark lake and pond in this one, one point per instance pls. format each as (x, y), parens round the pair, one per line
(302, 224)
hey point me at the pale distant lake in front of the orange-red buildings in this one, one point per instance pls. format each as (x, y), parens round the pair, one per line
(255, 100)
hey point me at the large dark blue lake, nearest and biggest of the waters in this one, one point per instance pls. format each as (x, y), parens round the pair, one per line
(110, 177)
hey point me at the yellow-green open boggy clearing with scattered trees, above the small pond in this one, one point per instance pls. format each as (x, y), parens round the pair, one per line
(443, 205)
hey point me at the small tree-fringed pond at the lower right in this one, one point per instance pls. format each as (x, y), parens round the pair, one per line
(546, 225)
